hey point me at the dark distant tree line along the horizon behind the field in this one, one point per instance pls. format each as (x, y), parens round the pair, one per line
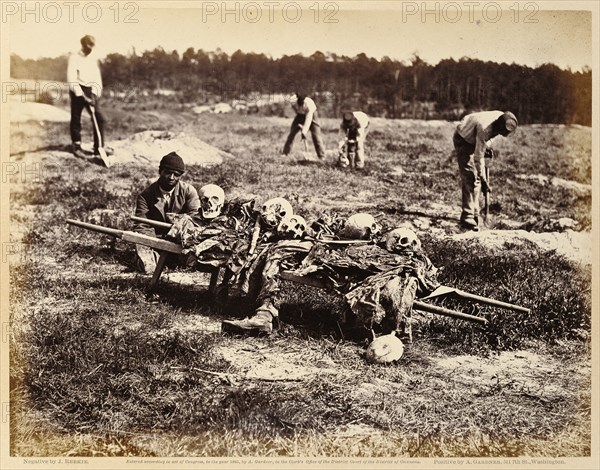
(391, 88)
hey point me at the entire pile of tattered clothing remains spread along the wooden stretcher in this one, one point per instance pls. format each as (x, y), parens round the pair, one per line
(372, 280)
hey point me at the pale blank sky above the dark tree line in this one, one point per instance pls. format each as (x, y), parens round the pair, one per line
(437, 30)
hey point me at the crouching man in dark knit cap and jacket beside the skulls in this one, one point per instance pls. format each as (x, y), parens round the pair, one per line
(166, 195)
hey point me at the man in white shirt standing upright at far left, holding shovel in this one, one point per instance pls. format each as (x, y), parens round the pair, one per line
(85, 87)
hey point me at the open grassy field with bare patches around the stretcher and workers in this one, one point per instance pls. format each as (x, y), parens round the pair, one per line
(99, 370)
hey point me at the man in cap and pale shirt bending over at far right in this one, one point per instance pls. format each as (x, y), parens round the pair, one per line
(472, 139)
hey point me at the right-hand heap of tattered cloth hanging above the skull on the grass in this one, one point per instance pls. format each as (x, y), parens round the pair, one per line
(373, 280)
